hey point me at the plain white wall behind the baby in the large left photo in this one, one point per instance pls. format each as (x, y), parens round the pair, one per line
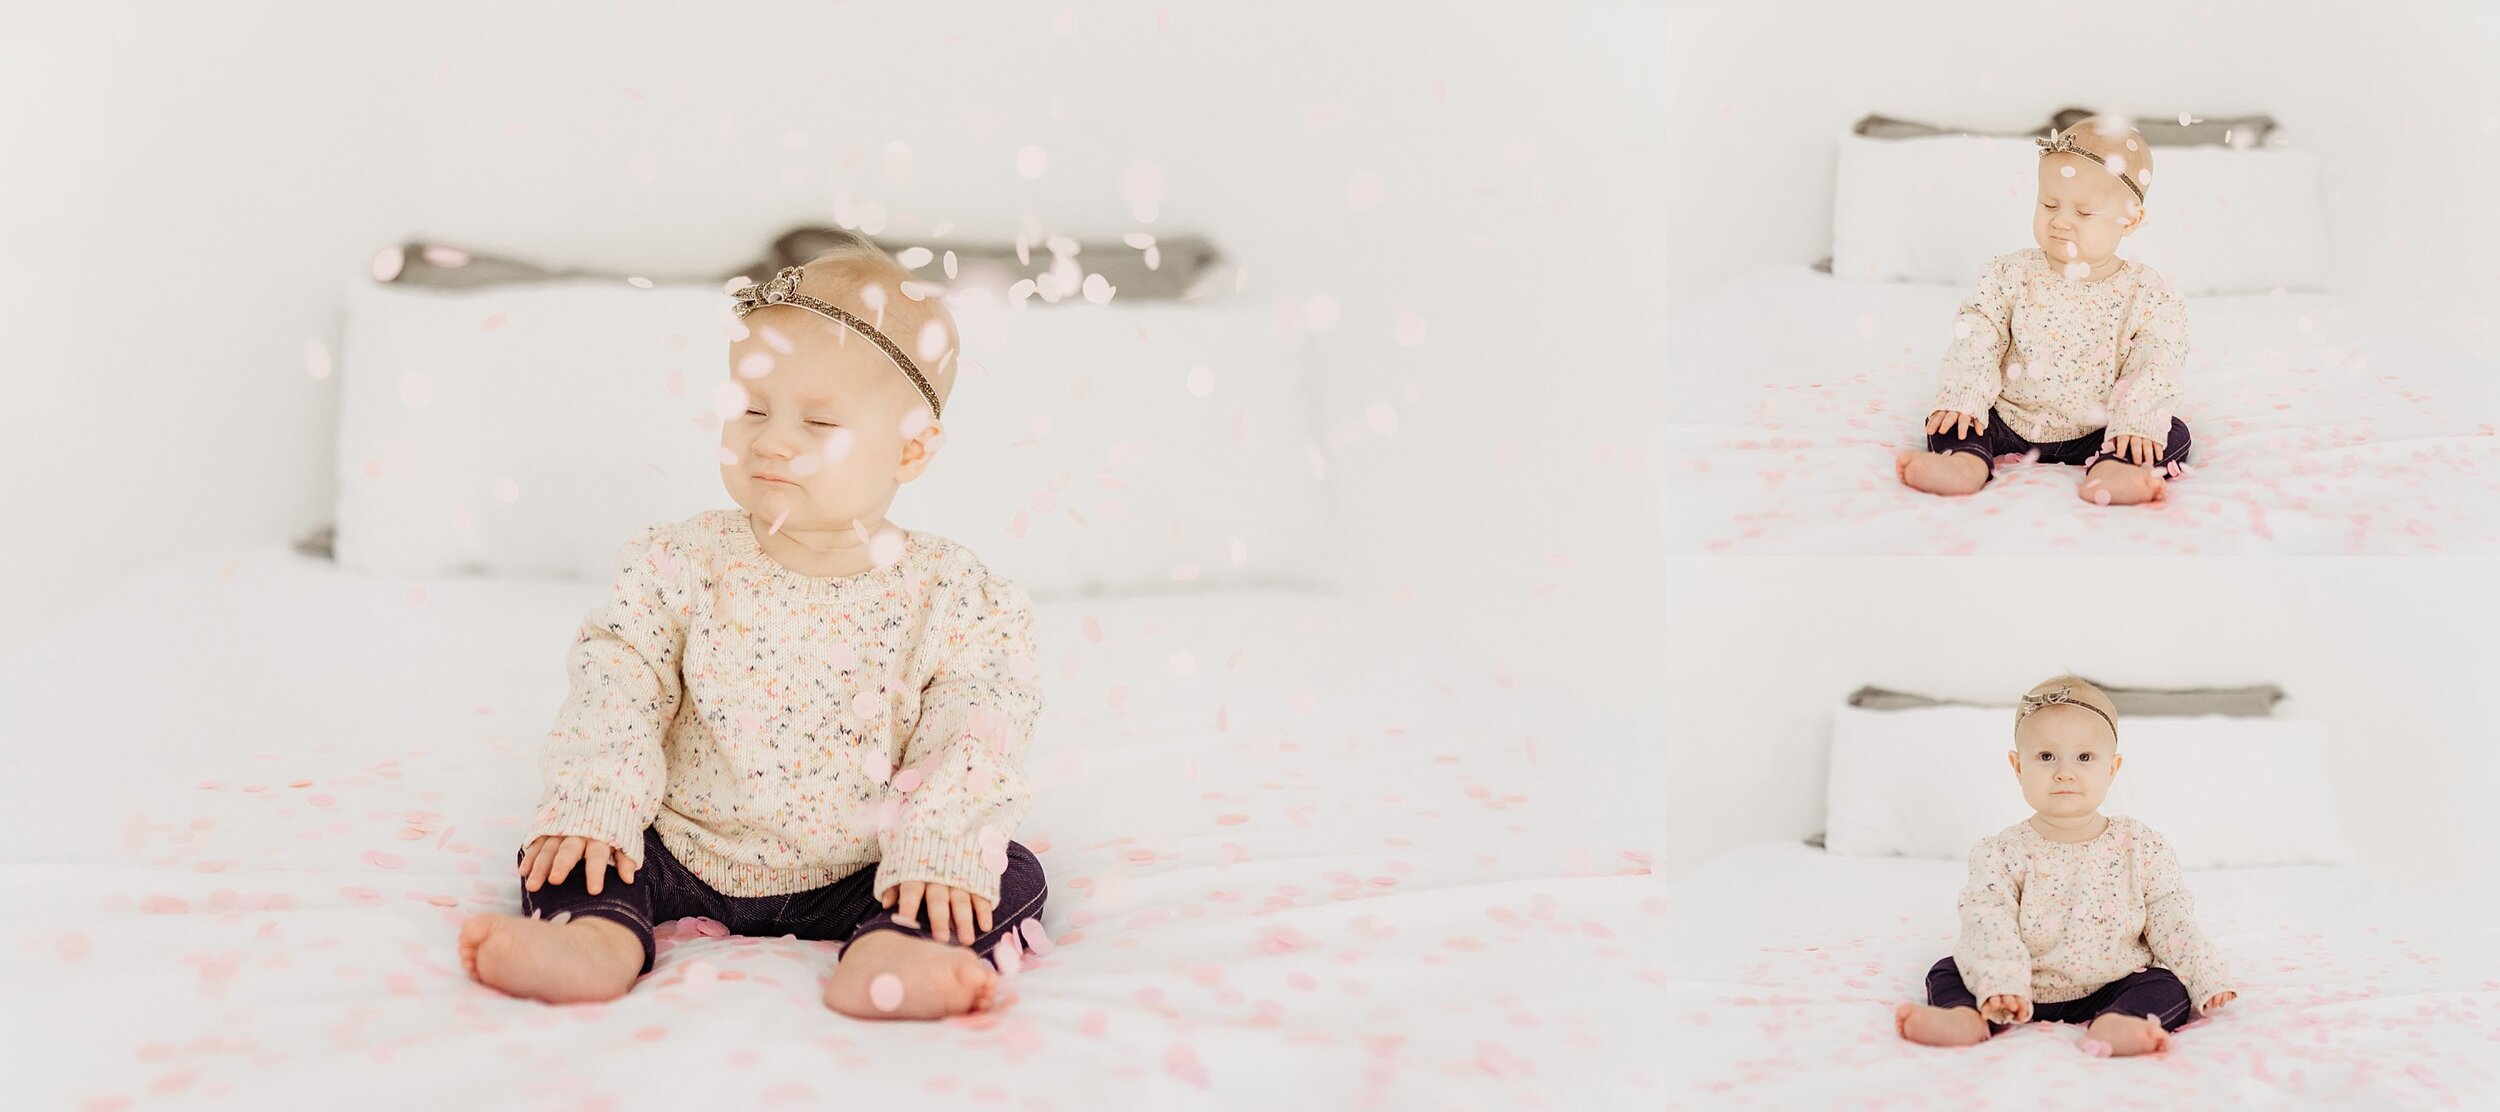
(194, 186)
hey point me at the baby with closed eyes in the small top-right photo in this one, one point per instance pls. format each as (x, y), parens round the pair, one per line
(2066, 354)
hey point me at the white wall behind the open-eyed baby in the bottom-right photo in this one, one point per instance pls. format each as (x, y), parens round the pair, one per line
(2396, 656)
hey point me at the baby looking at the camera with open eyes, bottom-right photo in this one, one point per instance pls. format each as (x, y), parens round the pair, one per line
(2071, 916)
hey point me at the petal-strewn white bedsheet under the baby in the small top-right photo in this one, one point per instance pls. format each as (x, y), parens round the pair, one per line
(2321, 426)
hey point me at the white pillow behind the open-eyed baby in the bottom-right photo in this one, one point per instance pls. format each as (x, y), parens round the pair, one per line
(2221, 791)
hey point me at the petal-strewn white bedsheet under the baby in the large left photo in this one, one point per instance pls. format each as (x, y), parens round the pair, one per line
(1294, 856)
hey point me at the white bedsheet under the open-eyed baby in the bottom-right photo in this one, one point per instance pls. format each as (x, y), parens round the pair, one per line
(1786, 963)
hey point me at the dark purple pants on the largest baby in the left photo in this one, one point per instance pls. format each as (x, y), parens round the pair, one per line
(836, 913)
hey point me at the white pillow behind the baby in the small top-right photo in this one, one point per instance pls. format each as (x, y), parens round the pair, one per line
(1939, 209)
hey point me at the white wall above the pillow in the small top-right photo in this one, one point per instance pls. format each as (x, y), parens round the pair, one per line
(2399, 99)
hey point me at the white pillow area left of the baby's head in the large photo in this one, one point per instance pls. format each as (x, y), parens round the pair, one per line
(524, 429)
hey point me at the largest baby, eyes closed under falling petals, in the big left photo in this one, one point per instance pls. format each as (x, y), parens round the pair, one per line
(796, 718)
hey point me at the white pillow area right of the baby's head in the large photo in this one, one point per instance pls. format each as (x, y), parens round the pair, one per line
(1084, 459)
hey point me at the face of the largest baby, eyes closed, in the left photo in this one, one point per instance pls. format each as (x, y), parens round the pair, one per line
(829, 434)
